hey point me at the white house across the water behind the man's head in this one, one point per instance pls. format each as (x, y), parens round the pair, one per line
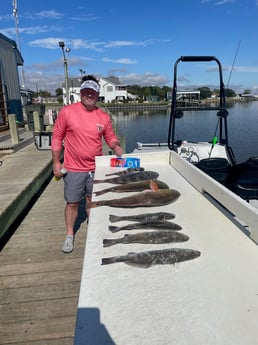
(110, 90)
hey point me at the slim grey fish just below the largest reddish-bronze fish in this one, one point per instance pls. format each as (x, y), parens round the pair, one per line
(144, 217)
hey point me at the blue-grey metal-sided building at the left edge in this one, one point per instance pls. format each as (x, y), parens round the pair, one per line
(10, 95)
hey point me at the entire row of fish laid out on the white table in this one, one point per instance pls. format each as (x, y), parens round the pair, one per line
(152, 192)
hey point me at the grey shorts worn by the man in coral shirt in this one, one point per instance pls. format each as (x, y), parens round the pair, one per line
(78, 185)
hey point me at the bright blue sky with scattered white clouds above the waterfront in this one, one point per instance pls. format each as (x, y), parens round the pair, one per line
(136, 41)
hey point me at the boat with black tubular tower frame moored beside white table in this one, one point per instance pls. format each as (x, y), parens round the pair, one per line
(214, 157)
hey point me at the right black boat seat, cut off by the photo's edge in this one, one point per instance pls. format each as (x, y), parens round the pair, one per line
(243, 179)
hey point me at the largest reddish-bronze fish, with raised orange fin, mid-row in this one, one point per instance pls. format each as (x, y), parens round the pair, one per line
(143, 199)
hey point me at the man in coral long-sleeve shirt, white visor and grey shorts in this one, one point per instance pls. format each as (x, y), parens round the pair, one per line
(80, 127)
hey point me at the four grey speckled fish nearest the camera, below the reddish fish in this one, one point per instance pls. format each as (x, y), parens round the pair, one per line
(166, 232)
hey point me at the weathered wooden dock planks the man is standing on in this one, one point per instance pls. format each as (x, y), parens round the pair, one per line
(39, 284)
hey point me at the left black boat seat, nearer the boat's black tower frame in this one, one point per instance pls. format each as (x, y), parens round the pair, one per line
(217, 168)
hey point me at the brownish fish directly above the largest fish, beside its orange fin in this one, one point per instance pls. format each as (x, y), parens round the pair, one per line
(138, 186)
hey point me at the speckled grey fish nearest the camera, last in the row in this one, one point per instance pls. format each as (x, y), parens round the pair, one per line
(147, 259)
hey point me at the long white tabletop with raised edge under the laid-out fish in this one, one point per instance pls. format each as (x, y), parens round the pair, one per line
(209, 300)
